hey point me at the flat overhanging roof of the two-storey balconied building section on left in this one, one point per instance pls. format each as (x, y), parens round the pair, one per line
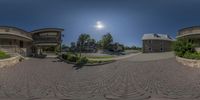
(47, 29)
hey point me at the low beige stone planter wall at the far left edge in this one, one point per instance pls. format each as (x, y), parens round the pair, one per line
(9, 61)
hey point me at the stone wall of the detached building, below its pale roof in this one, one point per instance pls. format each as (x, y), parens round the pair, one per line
(156, 46)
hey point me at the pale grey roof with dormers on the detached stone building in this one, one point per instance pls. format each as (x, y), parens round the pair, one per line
(153, 36)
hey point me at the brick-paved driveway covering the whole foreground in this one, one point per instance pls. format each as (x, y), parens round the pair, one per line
(127, 79)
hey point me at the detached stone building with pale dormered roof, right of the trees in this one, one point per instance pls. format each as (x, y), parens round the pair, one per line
(156, 43)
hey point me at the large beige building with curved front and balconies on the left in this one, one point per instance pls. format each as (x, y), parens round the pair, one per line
(38, 42)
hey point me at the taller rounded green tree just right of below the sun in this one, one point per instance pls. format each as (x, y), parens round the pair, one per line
(106, 40)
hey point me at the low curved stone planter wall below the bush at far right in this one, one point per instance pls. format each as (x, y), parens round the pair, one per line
(189, 62)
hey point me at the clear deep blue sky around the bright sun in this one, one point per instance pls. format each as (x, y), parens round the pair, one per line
(126, 20)
